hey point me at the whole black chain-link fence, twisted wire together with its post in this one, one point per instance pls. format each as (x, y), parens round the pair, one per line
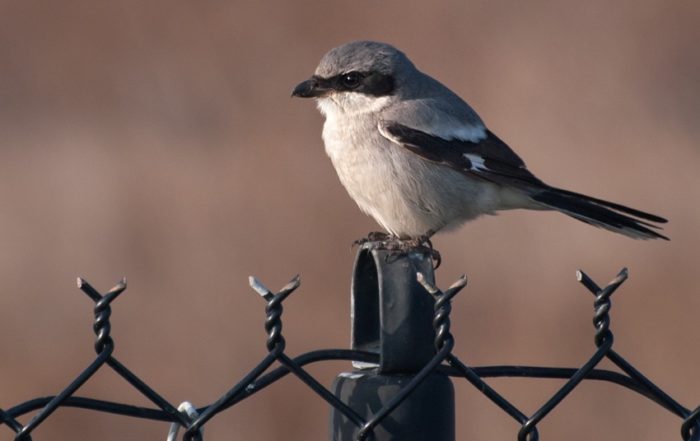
(403, 360)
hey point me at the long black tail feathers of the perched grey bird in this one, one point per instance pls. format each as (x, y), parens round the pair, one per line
(609, 215)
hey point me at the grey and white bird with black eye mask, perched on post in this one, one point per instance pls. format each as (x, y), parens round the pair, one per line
(418, 159)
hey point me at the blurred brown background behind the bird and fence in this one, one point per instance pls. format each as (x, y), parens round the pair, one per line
(157, 140)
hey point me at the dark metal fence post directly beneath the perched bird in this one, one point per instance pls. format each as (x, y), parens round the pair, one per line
(392, 315)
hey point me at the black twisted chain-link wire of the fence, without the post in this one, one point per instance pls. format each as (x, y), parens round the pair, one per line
(265, 373)
